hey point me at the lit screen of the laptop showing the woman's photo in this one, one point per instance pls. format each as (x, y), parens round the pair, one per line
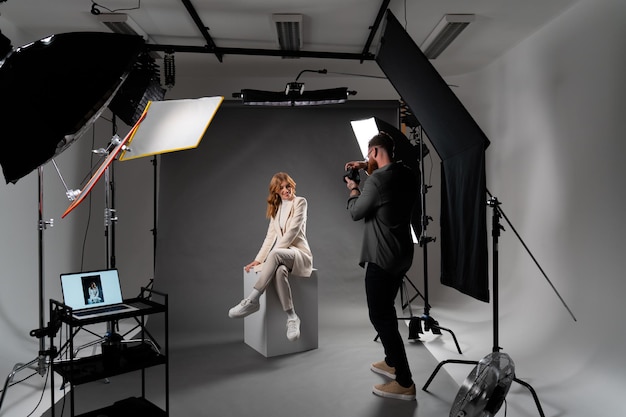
(91, 289)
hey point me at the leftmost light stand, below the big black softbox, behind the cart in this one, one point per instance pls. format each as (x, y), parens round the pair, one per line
(39, 364)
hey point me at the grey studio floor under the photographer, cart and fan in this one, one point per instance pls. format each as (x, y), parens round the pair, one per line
(227, 377)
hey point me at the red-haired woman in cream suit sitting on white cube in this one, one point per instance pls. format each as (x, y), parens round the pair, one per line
(284, 250)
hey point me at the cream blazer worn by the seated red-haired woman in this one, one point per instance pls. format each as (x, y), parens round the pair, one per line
(292, 237)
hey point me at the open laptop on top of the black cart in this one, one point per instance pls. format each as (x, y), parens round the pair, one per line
(93, 294)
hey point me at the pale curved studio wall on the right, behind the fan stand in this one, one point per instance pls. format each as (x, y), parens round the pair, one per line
(552, 108)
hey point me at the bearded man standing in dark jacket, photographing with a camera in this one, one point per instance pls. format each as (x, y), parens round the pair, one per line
(385, 204)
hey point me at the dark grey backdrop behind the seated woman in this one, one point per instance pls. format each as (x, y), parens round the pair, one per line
(212, 203)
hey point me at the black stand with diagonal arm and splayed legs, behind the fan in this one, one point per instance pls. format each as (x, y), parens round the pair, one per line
(496, 228)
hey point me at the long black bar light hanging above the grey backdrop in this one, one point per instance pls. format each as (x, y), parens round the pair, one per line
(294, 95)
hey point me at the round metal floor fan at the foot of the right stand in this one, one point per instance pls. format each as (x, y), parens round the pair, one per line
(485, 388)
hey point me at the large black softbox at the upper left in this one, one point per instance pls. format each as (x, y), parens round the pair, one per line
(51, 89)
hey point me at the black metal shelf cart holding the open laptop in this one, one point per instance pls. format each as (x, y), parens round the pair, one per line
(118, 356)
